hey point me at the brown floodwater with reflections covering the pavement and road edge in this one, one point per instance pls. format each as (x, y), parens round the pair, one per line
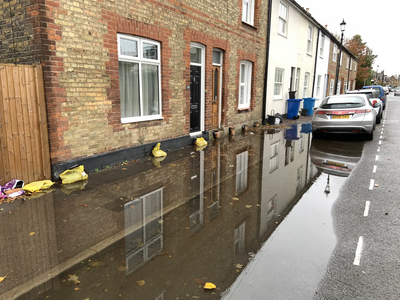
(250, 213)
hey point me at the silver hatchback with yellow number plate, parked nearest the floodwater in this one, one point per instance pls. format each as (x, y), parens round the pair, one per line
(345, 114)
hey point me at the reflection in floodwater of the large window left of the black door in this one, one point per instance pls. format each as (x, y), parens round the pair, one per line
(143, 228)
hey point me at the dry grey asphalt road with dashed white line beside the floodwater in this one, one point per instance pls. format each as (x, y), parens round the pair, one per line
(366, 261)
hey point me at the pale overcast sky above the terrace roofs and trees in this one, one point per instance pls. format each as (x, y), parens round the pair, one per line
(375, 21)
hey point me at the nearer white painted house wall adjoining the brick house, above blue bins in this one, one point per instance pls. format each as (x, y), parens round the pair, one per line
(287, 51)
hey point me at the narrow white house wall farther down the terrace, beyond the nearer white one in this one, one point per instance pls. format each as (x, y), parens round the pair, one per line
(322, 70)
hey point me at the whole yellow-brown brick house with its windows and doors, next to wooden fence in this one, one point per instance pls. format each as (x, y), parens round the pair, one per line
(121, 76)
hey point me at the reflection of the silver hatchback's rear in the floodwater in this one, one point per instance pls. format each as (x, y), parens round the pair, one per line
(335, 157)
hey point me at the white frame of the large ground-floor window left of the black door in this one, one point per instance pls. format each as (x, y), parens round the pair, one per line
(140, 60)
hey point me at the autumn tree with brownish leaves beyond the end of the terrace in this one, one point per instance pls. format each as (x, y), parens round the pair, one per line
(365, 58)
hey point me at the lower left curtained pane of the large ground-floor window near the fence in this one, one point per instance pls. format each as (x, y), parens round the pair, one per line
(129, 89)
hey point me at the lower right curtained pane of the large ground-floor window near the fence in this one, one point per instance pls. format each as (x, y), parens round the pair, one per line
(150, 88)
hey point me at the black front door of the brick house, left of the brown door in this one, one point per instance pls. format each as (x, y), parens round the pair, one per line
(195, 98)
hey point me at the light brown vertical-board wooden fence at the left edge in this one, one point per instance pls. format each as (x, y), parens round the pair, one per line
(24, 143)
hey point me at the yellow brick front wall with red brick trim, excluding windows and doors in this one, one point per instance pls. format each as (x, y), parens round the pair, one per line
(82, 74)
